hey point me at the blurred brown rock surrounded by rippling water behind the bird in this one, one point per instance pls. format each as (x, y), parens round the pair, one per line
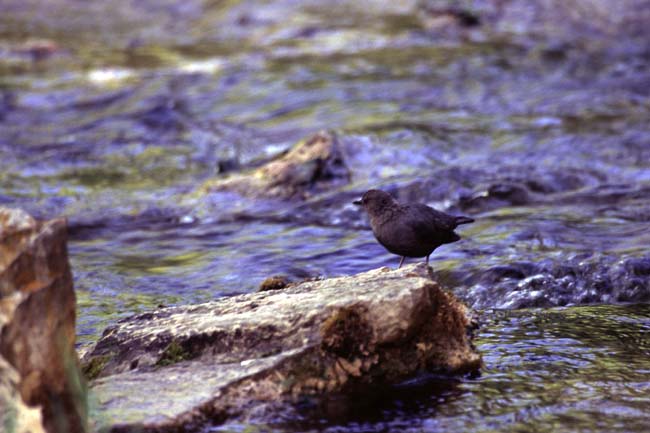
(312, 165)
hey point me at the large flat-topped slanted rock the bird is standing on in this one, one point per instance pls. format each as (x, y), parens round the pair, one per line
(180, 367)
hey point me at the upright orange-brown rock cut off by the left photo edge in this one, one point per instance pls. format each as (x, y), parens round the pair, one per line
(38, 362)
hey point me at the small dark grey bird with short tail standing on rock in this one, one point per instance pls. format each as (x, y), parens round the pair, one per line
(409, 230)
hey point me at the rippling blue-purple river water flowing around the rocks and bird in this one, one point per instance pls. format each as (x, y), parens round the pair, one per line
(531, 117)
